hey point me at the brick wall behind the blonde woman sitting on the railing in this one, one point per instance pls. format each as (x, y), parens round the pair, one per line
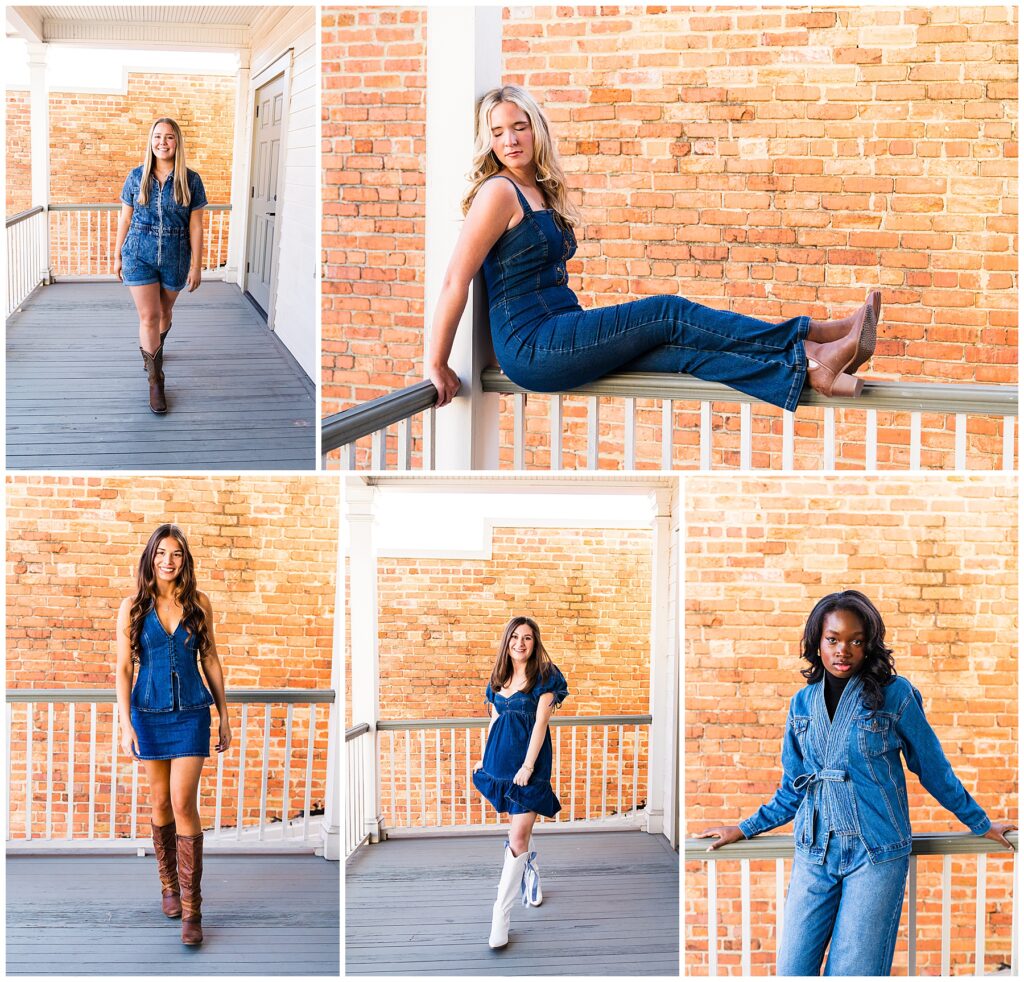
(773, 162)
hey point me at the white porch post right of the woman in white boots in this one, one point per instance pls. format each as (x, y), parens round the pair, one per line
(664, 679)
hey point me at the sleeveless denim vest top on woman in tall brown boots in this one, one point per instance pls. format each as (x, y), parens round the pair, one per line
(168, 675)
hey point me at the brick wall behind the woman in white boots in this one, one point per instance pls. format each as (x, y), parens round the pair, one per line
(440, 625)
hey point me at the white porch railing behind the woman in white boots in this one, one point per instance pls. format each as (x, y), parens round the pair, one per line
(424, 781)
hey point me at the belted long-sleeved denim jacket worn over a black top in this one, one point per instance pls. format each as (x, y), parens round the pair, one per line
(845, 777)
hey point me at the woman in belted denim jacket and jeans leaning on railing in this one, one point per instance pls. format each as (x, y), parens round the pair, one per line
(844, 783)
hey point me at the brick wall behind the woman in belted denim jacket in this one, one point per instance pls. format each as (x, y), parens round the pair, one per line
(940, 560)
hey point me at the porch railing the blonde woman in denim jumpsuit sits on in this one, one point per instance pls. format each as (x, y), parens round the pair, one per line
(994, 406)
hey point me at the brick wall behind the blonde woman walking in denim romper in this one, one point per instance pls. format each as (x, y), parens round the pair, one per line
(98, 138)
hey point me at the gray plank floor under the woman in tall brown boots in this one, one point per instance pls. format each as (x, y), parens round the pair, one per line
(101, 916)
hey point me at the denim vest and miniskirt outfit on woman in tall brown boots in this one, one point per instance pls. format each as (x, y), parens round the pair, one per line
(170, 706)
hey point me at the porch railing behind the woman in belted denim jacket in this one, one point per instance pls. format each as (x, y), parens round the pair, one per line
(781, 848)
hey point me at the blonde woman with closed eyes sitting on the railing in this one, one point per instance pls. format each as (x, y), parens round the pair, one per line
(520, 229)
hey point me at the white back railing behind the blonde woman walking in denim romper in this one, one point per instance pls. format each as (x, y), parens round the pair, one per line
(82, 240)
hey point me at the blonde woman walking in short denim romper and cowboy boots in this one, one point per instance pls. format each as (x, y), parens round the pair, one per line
(159, 248)
